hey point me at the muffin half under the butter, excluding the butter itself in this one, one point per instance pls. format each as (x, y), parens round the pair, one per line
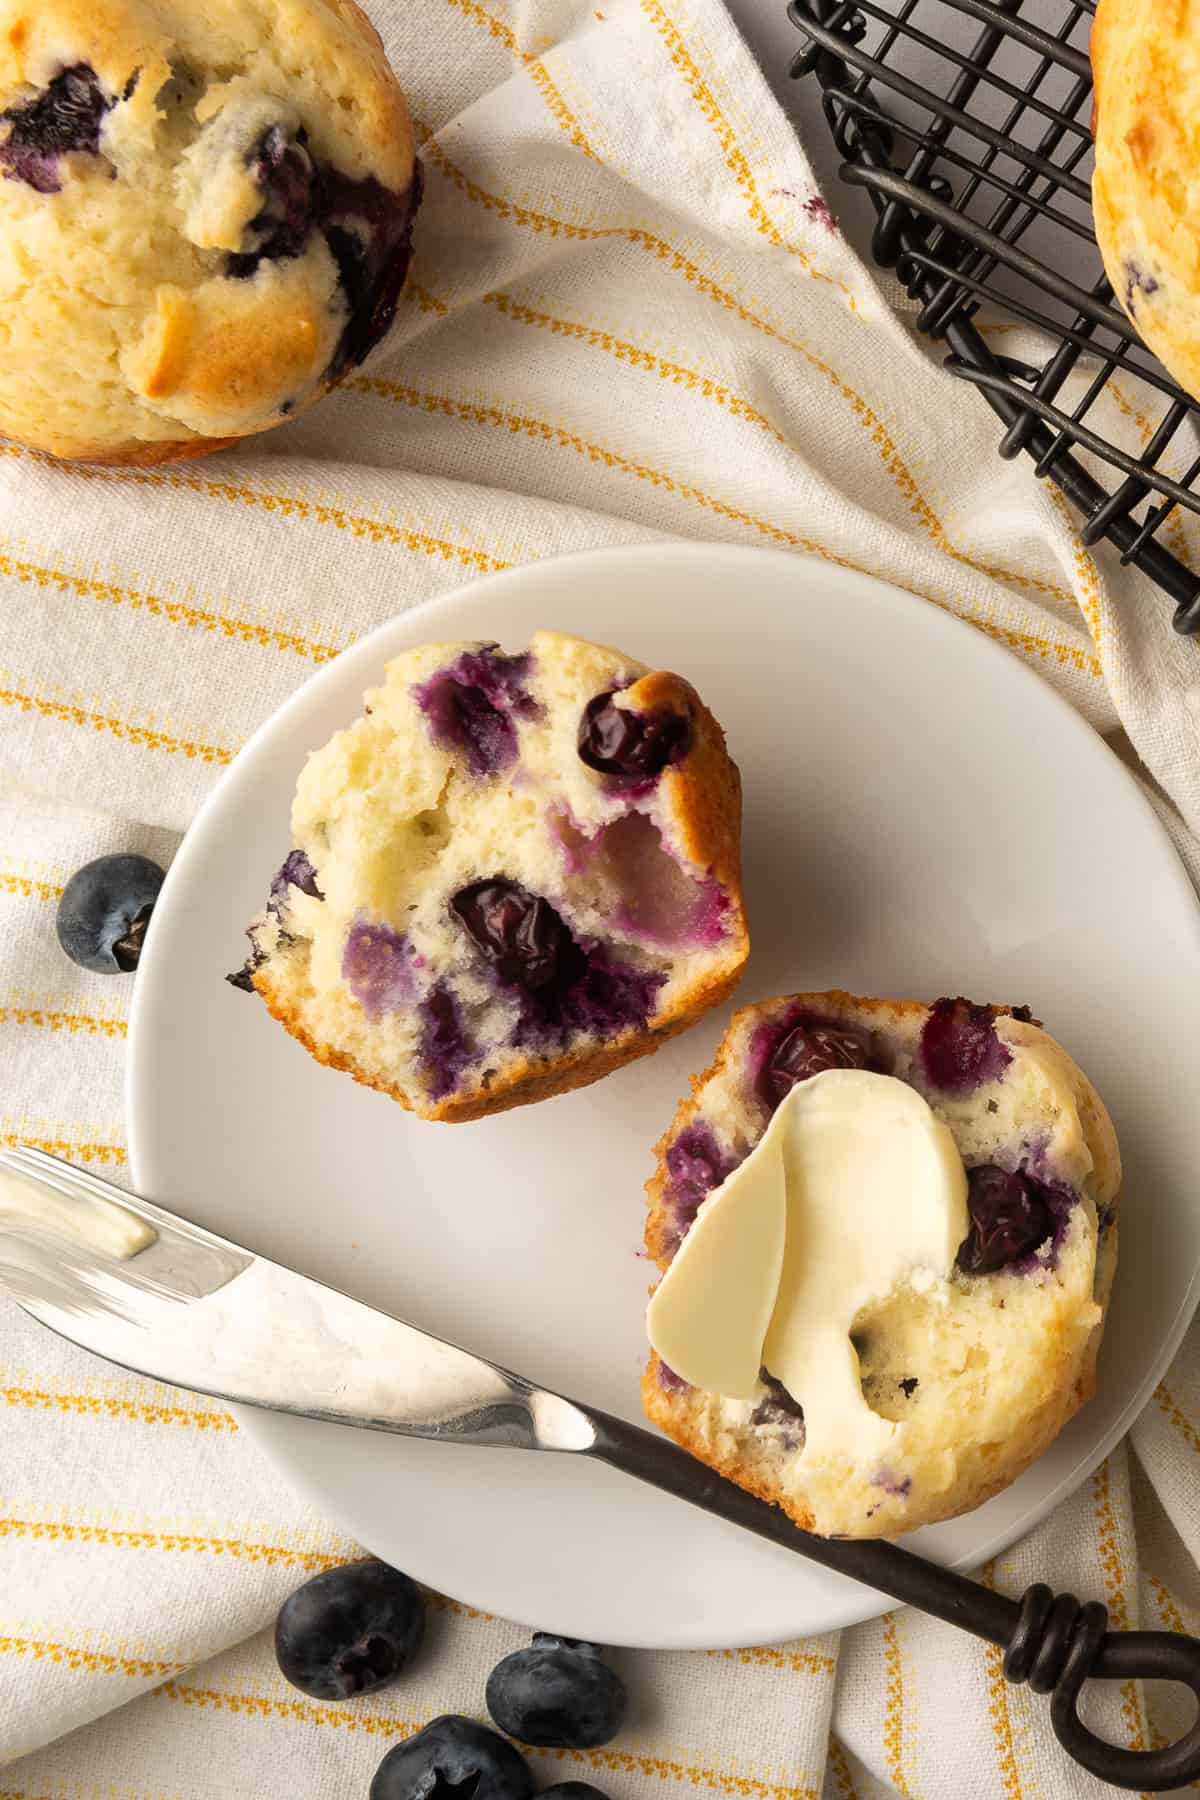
(971, 1374)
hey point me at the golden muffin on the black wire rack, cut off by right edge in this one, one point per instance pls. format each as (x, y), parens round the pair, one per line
(1147, 67)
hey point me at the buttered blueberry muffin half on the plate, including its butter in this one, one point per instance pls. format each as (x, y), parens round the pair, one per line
(958, 1376)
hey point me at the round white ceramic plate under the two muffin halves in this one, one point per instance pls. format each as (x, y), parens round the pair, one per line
(924, 816)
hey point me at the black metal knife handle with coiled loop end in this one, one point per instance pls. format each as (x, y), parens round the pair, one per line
(1055, 1642)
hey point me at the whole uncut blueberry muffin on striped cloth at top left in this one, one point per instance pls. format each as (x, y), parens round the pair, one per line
(206, 215)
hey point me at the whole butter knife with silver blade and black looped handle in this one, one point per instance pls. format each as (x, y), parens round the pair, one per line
(147, 1290)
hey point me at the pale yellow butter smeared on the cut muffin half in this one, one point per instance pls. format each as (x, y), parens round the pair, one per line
(854, 1189)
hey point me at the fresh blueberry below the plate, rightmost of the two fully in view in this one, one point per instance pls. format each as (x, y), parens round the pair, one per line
(557, 1695)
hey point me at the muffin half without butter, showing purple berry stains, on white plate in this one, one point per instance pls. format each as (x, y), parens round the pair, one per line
(512, 876)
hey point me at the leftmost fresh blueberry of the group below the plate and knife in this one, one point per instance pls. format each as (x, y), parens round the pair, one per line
(350, 1630)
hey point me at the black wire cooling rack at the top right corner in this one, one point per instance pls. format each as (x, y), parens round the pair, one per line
(969, 125)
